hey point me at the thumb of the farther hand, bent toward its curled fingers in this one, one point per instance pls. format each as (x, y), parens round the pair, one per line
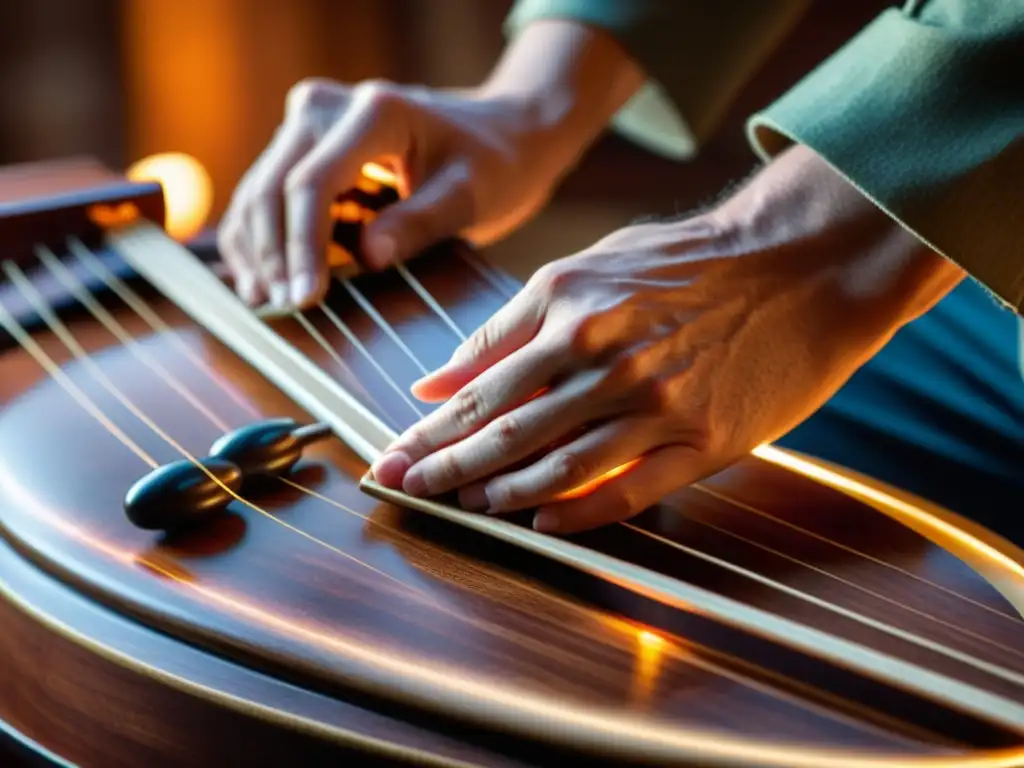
(438, 210)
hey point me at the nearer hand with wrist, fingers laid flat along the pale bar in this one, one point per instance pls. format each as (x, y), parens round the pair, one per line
(667, 352)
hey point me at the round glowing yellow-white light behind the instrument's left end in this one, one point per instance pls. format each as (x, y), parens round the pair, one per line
(188, 191)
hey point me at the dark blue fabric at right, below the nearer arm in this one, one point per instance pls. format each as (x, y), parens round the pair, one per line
(940, 412)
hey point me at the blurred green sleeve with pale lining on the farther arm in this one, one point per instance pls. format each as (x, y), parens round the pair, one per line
(697, 55)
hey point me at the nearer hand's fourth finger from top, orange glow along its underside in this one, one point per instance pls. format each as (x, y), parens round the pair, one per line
(593, 458)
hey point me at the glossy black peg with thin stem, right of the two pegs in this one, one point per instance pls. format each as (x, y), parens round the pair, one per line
(268, 449)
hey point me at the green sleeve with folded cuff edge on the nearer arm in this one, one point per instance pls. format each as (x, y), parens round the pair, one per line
(924, 112)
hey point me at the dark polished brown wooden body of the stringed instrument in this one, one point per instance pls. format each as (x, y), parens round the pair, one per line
(326, 622)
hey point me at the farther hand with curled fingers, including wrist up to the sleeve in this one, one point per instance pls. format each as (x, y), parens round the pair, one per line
(476, 163)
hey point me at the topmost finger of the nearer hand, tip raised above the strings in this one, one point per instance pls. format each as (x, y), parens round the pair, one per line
(513, 327)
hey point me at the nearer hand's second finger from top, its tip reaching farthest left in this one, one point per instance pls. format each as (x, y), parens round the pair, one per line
(499, 390)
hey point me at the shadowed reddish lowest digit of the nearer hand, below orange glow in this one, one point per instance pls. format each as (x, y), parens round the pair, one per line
(644, 485)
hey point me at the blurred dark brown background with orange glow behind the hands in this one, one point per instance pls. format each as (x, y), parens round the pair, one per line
(120, 80)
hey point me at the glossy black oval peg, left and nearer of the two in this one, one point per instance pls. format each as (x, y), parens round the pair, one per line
(183, 494)
